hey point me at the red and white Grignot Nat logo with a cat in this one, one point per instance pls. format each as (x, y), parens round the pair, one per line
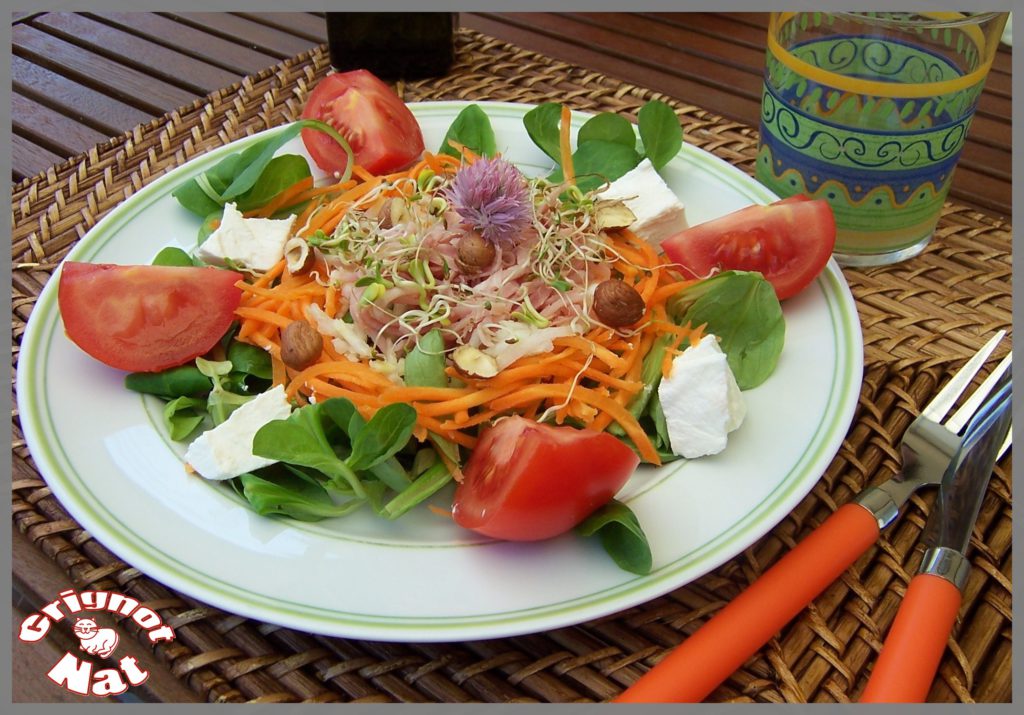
(76, 675)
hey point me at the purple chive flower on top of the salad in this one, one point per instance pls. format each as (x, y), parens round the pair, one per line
(492, 198)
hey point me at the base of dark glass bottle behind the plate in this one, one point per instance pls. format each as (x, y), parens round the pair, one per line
(393, 46)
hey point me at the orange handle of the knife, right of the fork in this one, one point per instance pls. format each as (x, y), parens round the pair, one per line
(916, 643)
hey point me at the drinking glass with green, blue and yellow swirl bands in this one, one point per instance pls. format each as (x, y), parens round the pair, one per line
(871, 111)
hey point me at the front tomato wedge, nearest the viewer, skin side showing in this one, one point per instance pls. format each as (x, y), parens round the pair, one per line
(528, 481)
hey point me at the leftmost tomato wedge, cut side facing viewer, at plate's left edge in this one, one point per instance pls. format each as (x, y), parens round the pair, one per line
(146, 318)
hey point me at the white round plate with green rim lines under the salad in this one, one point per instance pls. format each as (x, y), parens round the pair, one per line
(105, 455)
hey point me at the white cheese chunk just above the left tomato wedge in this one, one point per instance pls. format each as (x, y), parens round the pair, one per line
(253, 243)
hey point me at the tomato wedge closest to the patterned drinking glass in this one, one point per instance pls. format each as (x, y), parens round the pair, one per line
(789, 242)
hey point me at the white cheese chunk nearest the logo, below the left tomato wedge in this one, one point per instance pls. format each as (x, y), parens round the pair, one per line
(227, 450)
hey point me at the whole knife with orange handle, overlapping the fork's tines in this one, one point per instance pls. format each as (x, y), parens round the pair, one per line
(919, 636)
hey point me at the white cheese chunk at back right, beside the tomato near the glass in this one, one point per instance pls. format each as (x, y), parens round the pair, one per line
(659, 212)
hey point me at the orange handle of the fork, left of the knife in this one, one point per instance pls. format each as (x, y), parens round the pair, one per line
(719, 648)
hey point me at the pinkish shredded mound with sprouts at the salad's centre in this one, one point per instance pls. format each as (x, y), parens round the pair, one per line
(485, 310)
